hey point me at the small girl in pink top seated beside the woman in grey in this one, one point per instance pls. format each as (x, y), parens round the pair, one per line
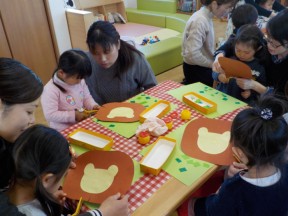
(66, 94)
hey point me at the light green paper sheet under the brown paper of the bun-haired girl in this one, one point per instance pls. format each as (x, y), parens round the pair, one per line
(172, 167)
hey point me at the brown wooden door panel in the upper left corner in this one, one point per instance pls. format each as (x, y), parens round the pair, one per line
(26, 36)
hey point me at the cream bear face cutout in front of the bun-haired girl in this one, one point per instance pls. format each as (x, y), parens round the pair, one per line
(212, 143)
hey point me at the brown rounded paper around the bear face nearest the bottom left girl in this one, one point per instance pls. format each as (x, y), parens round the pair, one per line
(101, 160)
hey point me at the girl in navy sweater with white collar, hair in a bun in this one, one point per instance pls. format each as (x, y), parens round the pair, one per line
(259, 136)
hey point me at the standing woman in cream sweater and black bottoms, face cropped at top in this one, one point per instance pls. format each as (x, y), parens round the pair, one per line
(198, 41)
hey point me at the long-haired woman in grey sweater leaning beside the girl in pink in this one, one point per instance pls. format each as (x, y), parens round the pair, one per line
(119, 70)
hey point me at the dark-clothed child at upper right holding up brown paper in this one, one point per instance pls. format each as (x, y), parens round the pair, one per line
(248, 48)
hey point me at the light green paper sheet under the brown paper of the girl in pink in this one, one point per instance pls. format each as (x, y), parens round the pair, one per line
(128, 129)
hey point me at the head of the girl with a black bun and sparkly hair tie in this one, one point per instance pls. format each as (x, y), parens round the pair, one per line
(261, 133)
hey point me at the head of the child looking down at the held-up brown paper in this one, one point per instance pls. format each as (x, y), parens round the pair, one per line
(248, 41)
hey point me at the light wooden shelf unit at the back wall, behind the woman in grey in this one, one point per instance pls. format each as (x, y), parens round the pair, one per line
(80, 20)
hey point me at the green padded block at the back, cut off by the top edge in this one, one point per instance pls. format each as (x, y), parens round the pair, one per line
(168, 6)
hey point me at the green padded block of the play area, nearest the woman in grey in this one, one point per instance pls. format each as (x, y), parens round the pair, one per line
(163, 55)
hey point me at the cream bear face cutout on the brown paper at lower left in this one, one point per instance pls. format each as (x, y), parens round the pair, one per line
(97, 180)
